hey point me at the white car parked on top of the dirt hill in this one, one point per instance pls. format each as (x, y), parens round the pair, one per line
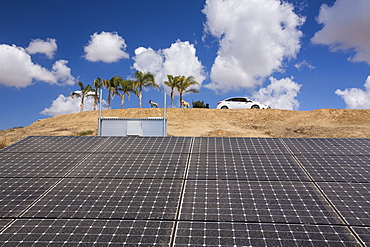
(241, 103)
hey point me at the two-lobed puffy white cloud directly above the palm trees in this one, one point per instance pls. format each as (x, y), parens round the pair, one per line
(179, 59)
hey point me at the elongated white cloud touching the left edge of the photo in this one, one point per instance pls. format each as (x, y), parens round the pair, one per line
(18, 70)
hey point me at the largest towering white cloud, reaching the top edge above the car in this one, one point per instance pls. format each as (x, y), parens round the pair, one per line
(255, 38)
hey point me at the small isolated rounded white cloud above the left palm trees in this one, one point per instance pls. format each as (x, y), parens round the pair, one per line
(106, 47)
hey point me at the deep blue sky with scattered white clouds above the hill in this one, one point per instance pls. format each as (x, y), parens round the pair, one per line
(293, 54)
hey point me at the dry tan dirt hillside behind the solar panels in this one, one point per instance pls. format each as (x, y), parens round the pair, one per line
(323, 123)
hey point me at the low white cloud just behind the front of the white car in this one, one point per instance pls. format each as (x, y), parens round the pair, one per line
(280, 94)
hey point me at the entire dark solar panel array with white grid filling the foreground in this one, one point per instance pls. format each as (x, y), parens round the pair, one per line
(177, 191)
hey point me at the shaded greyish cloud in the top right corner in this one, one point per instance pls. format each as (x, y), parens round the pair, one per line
(346, 28)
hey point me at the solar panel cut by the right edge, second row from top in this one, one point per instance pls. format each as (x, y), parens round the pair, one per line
(335, 168)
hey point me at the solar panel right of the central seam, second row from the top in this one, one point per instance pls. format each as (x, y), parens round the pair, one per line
(245, 167)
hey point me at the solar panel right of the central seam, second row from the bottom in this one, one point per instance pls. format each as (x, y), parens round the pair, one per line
(236, 201)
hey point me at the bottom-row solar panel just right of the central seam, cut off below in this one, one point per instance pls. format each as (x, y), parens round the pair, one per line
(249, 234)
